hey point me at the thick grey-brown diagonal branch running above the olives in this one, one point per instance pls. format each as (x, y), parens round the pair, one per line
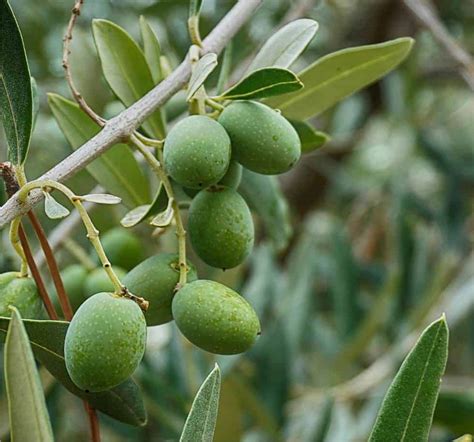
(120, 128)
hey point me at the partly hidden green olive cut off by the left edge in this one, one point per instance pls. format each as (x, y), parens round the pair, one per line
(20, 292)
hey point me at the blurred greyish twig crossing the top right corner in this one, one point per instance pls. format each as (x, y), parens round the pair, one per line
(424, 12)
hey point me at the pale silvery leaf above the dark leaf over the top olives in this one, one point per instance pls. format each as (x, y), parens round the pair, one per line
(284, 47)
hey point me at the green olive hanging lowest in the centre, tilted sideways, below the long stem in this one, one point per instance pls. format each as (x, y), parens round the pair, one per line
(215, 318)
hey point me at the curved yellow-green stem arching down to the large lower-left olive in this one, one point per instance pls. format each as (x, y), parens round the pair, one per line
(92, 232)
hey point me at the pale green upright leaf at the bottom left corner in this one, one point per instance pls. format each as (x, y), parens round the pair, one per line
(29, 419)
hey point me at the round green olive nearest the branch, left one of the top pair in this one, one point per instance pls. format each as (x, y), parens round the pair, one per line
(197, 152)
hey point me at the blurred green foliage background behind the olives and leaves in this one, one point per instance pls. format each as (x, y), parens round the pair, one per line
(382, 230)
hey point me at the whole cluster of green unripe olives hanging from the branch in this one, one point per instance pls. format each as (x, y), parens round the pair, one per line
(106, 338)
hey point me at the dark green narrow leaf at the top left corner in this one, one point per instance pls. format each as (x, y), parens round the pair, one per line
(16, 100)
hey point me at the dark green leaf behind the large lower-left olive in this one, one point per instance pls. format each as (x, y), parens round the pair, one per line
(123, 402)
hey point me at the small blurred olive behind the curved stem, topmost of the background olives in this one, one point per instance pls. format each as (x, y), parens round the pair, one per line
(122, 247)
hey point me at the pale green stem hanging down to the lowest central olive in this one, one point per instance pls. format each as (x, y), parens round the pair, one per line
(180, 231)
